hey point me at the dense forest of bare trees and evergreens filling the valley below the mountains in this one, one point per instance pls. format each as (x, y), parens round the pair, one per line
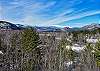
(29, 50)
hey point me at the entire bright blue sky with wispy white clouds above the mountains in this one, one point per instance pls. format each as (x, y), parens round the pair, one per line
(60, 13)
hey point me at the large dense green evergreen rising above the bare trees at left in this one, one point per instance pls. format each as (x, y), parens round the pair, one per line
(30, 39)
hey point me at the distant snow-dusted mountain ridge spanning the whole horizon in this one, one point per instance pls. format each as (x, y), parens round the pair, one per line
(7, 25)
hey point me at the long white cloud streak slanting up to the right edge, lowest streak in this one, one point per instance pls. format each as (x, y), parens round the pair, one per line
(59, 20)
